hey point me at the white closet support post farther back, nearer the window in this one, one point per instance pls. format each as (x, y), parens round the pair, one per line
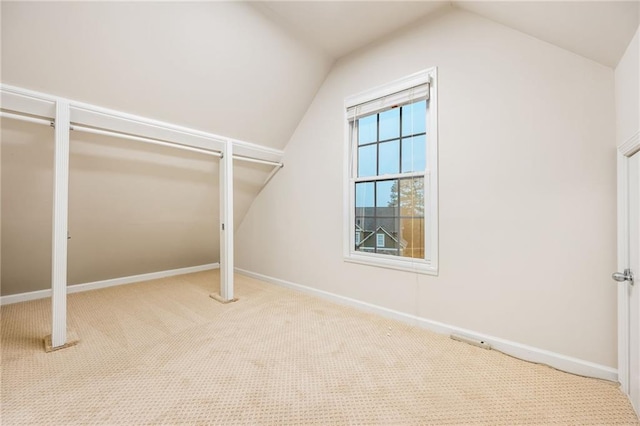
(226, 226)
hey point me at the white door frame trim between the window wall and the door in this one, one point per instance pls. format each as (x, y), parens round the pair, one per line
(625, 150)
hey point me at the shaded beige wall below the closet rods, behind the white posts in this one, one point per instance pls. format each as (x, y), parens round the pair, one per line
(132, 208)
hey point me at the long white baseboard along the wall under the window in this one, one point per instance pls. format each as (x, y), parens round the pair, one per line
(518, 350)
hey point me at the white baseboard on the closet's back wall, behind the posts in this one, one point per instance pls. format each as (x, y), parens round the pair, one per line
(76, 288)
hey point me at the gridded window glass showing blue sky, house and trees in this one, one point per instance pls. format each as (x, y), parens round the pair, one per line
(391, 145)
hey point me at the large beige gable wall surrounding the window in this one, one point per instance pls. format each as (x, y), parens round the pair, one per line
(527, 190)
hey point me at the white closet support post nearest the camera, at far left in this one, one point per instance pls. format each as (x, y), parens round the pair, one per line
(60, 218)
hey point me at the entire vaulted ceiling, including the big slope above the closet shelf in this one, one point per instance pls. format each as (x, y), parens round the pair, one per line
(249, 70)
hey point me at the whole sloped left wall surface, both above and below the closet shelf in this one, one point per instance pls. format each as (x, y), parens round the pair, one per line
(133, 208)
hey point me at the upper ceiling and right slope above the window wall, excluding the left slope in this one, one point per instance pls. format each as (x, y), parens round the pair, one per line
(598, 30)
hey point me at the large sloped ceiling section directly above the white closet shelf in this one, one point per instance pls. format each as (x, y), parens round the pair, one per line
(221, 67)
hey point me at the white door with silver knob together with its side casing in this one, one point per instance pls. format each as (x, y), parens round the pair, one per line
(629, 279)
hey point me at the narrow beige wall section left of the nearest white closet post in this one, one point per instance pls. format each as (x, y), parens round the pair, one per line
(27, 157)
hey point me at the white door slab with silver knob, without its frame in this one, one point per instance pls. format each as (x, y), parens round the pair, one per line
(634, 289)
